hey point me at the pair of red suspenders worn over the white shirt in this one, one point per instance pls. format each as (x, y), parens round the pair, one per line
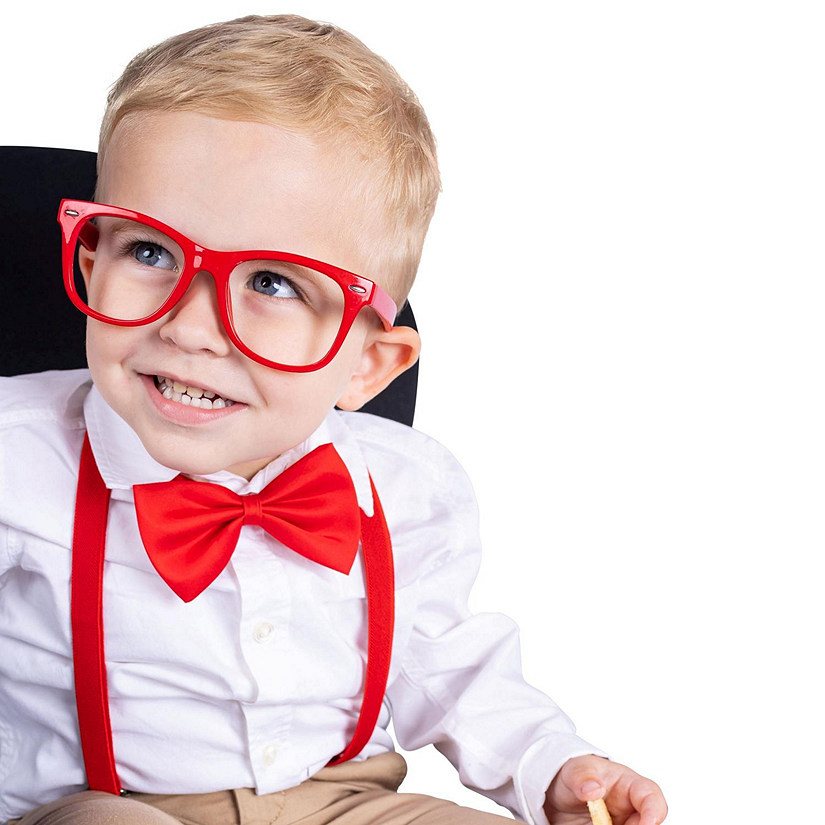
(91, 513)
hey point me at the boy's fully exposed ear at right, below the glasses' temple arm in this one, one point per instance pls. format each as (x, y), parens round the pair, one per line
(386, 354)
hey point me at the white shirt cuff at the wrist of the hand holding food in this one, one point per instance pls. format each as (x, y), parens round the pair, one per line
(539, 765)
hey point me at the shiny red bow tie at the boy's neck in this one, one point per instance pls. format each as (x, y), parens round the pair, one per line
(190, 528)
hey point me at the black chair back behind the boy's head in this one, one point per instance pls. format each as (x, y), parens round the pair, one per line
(41, 329)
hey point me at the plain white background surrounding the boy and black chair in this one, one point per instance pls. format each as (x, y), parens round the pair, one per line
(620, 302)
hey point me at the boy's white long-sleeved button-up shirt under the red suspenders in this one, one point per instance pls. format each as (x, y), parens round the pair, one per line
(257, 682)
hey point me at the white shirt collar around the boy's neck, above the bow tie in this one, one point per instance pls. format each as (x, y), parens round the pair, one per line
(123, 461)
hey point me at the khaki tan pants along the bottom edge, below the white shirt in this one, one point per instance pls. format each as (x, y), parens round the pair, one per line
(353, 793)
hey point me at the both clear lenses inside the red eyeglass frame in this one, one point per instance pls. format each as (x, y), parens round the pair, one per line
(285, 312)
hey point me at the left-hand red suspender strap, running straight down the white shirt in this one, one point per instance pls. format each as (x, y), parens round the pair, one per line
(89, 543)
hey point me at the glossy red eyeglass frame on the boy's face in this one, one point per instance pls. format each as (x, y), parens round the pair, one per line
(359, 292)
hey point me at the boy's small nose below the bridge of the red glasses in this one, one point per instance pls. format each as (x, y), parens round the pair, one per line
(194, 324)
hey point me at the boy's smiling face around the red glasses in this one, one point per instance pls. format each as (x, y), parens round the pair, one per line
(228, 185)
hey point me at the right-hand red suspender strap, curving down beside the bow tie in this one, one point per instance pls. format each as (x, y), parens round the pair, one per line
(378, 570)
